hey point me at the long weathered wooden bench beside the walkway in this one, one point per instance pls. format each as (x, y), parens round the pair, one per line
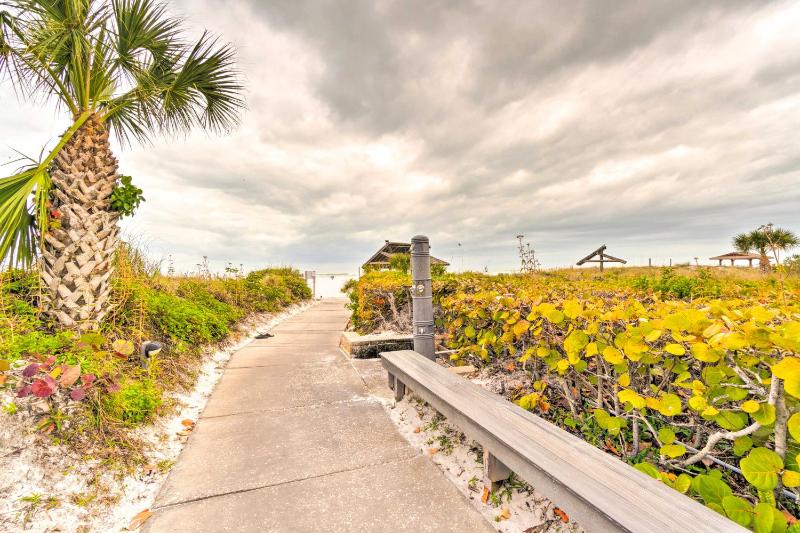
(600, 492)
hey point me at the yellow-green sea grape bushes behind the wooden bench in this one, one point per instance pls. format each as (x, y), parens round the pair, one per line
(702, 393)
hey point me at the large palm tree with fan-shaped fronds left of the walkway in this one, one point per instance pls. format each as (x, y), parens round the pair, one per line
(121, 66)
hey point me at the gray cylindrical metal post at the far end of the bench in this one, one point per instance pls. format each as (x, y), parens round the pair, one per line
(422, 297)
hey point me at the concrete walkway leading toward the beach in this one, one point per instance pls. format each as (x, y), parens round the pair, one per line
(292, 440)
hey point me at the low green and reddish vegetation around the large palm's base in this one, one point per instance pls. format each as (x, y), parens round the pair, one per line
(88, 390)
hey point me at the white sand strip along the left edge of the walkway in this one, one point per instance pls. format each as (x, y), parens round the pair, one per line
(29, 467)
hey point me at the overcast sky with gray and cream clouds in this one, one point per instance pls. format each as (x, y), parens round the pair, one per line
(660, 129)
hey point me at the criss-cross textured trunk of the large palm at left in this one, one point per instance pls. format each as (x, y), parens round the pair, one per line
(77, 260)
